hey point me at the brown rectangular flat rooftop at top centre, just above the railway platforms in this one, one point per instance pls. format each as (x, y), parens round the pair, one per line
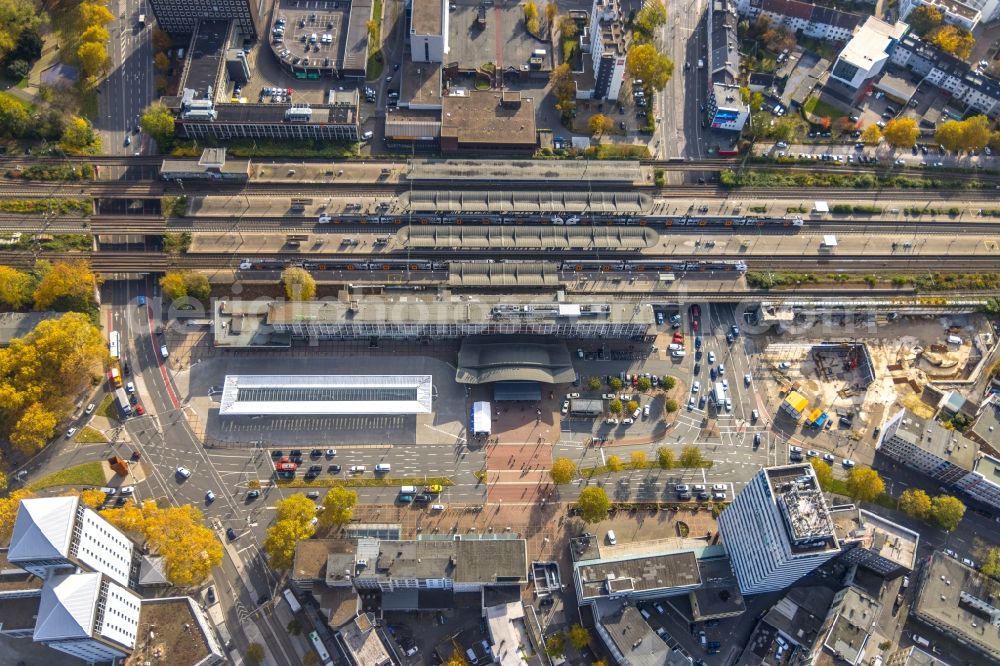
(479, 119)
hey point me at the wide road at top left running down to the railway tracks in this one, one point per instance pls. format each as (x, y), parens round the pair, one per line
(128, 89)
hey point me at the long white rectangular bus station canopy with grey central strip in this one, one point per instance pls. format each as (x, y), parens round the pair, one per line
(250, 395)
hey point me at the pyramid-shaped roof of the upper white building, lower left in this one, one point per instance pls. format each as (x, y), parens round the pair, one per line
(43, 528)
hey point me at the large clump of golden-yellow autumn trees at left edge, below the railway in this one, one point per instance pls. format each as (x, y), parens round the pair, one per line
(41, 374)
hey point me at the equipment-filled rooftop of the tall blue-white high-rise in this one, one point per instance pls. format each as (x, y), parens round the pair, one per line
(803, 508)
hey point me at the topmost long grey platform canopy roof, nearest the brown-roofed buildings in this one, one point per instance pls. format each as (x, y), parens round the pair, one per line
(589, 171)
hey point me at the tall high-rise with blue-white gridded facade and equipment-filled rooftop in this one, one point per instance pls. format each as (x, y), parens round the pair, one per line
(778, 529)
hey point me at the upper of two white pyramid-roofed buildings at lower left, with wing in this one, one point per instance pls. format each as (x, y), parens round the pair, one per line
(60, 535)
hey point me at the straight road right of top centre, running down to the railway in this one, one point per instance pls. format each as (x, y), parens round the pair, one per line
(679, 132)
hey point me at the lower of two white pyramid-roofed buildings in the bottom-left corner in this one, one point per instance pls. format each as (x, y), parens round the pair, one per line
(88, 616)
